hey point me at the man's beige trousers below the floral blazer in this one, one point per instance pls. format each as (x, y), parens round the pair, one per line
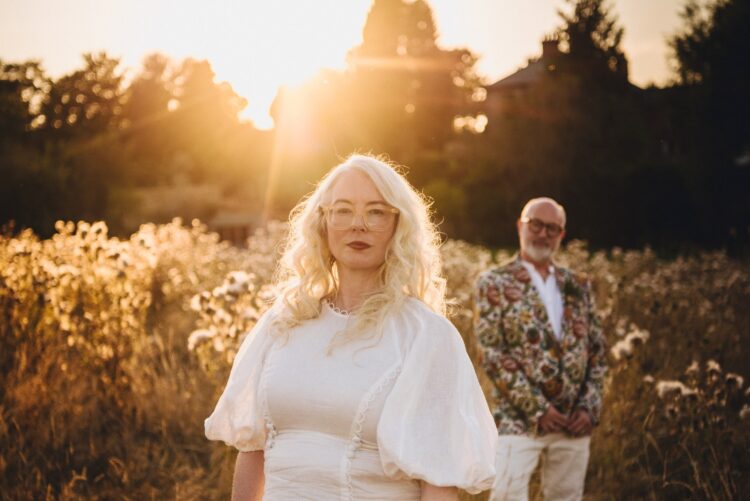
(564, 462)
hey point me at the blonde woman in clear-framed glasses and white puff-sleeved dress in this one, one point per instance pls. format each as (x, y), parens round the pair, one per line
(354, 385)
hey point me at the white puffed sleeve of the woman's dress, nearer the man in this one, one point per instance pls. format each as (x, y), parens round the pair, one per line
(436, 425)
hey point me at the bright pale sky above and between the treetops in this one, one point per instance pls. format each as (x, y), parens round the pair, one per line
(258, 45)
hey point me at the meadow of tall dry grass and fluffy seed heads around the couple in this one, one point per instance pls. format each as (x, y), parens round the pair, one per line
(113, 351)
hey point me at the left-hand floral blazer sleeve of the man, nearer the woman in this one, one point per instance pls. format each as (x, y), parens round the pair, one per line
(512, 385)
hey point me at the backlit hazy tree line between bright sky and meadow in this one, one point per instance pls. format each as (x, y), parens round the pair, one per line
(662, 166)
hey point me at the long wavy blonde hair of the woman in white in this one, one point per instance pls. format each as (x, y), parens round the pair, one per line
(412, 268)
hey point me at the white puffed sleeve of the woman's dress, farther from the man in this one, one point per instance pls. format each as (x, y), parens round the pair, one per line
(238, 419)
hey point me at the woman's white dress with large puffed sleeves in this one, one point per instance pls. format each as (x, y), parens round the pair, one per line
(365, 422)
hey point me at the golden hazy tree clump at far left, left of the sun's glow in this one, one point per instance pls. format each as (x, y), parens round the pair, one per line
(74, 147)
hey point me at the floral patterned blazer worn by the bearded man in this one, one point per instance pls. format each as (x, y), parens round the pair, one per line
(532, 369)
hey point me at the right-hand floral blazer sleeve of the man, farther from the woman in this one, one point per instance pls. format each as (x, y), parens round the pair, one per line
(590, 397)
